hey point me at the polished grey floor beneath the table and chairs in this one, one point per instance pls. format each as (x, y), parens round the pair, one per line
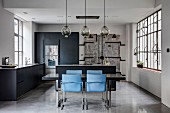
(127, 99)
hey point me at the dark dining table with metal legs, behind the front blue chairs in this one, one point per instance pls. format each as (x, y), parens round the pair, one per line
(109, 81)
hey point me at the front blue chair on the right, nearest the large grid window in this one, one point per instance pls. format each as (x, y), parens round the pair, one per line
(95, 83)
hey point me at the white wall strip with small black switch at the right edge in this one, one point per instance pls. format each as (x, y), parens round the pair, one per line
(165, 55)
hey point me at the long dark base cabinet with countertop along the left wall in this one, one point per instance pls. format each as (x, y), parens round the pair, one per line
(14, 82)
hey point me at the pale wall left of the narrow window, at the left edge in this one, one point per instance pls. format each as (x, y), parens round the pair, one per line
(6, 34)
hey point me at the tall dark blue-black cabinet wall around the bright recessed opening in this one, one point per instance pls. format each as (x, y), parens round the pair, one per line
(68, 47)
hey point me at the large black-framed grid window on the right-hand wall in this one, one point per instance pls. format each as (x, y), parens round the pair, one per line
(149, 41)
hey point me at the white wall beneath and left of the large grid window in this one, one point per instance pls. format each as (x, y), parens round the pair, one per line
(147, 79)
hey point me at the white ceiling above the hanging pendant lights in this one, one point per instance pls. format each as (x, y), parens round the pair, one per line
(53, 11)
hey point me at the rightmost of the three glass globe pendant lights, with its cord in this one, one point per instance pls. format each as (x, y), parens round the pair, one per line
(104, 32)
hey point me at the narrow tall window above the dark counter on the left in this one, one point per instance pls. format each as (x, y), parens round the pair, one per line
(18, 41)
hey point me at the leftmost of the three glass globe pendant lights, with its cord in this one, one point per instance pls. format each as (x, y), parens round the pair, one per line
(66, 31)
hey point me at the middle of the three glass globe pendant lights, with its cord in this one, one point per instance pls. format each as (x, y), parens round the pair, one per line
(85, 31)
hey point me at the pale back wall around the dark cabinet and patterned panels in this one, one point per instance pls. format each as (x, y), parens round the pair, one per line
(94, 29)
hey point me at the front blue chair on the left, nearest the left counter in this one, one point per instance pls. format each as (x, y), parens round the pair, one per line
(71, 83)
